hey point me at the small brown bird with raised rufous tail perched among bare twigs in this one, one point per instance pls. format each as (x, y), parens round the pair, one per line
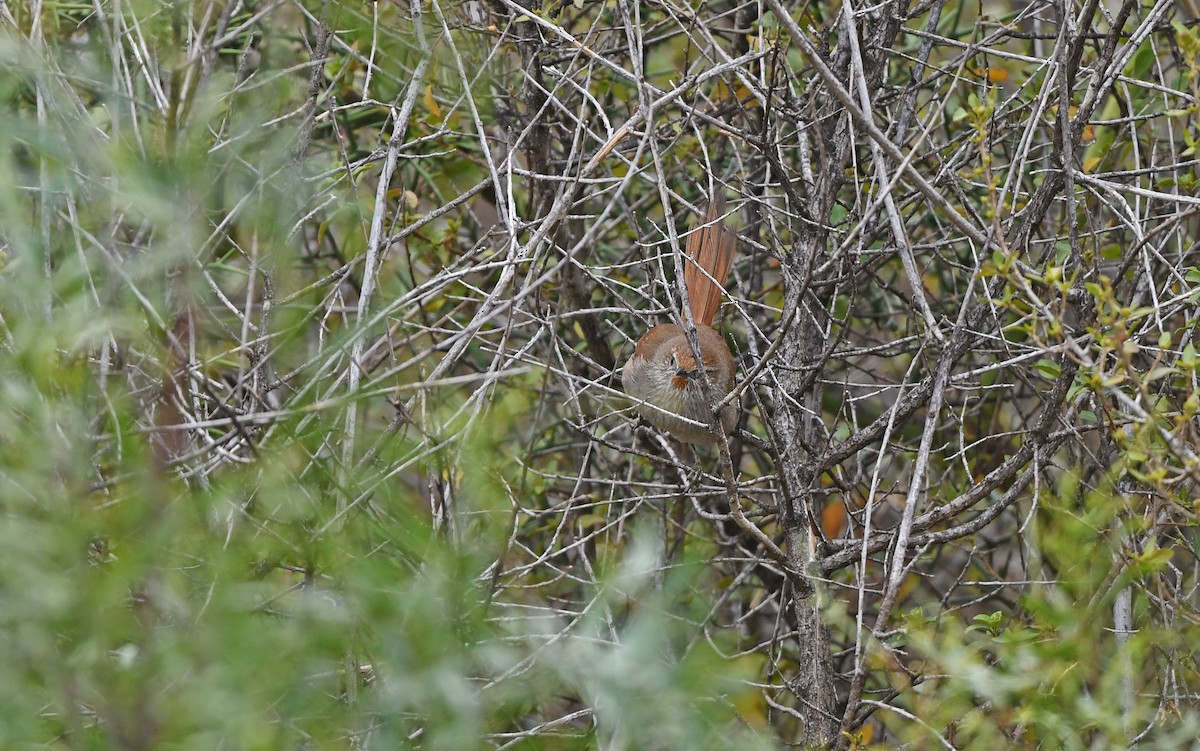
(664, 374)
